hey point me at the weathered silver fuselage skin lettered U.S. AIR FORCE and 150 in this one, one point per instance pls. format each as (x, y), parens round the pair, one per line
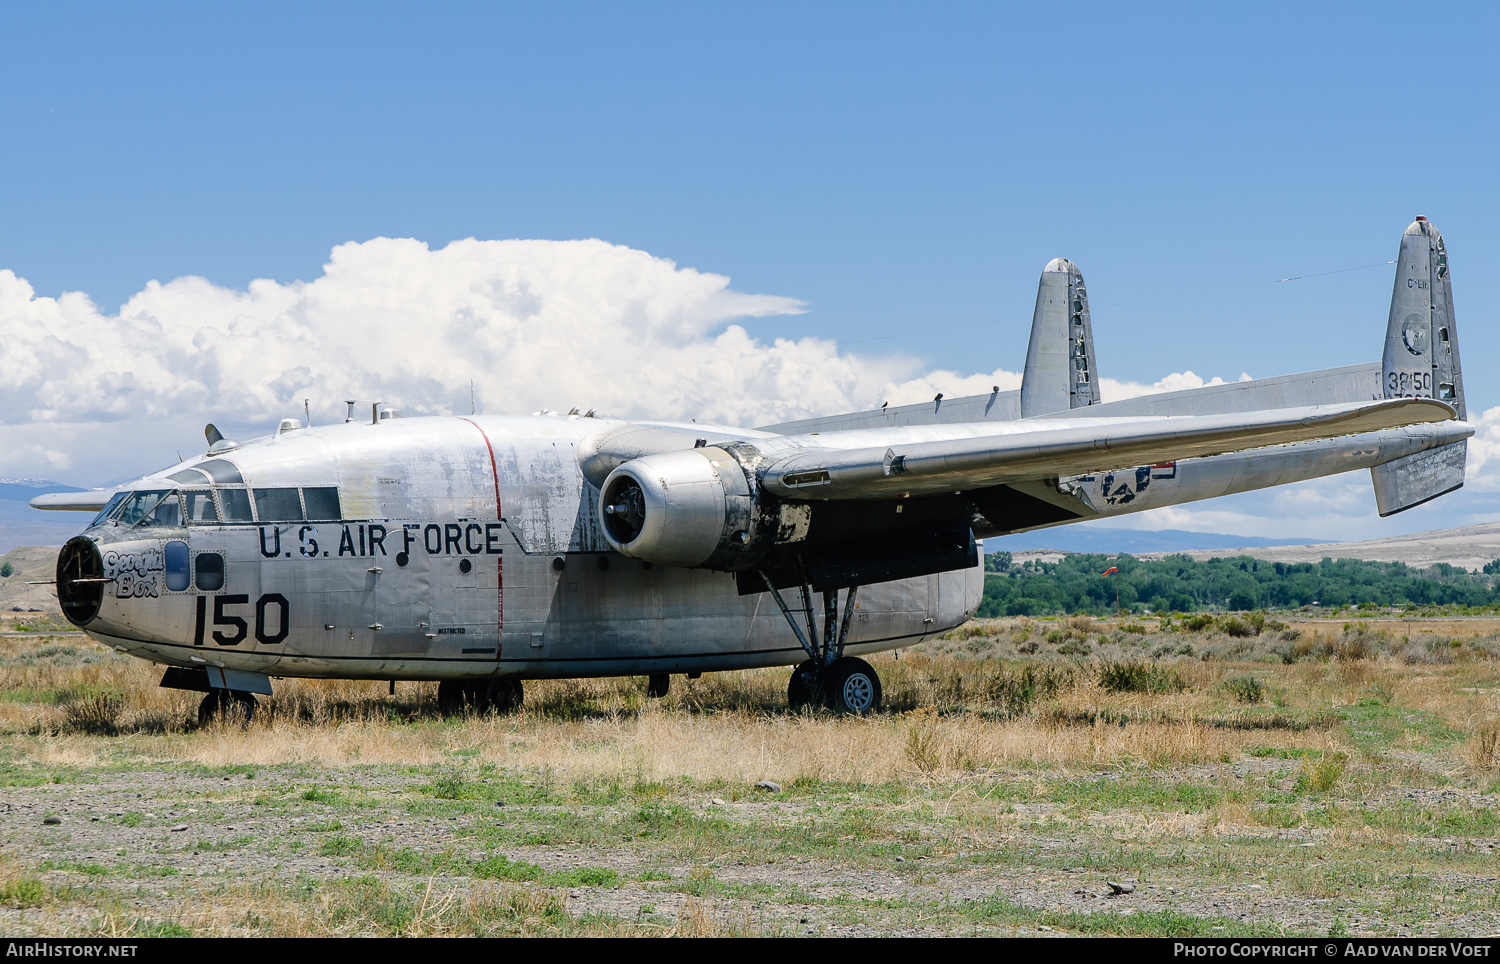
(445, 564)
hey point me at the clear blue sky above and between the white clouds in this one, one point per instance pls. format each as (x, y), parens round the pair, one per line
(904, 172)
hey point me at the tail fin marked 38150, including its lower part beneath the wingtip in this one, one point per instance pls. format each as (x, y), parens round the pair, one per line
(1421, 361)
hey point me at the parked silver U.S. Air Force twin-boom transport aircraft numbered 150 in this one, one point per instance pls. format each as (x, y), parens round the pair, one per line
(485, 551)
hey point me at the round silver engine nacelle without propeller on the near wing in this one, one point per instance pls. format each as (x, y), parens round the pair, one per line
(697, 509)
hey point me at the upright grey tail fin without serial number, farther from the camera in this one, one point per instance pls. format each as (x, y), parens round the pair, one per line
(1060, 359)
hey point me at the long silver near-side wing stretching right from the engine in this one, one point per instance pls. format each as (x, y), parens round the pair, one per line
(896, 463)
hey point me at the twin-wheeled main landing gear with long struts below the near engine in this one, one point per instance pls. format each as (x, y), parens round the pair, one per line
(829, 678)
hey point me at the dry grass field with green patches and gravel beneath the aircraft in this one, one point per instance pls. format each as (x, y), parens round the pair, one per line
(1232, 777)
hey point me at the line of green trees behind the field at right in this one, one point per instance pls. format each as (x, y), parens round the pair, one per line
(1181, 584)
